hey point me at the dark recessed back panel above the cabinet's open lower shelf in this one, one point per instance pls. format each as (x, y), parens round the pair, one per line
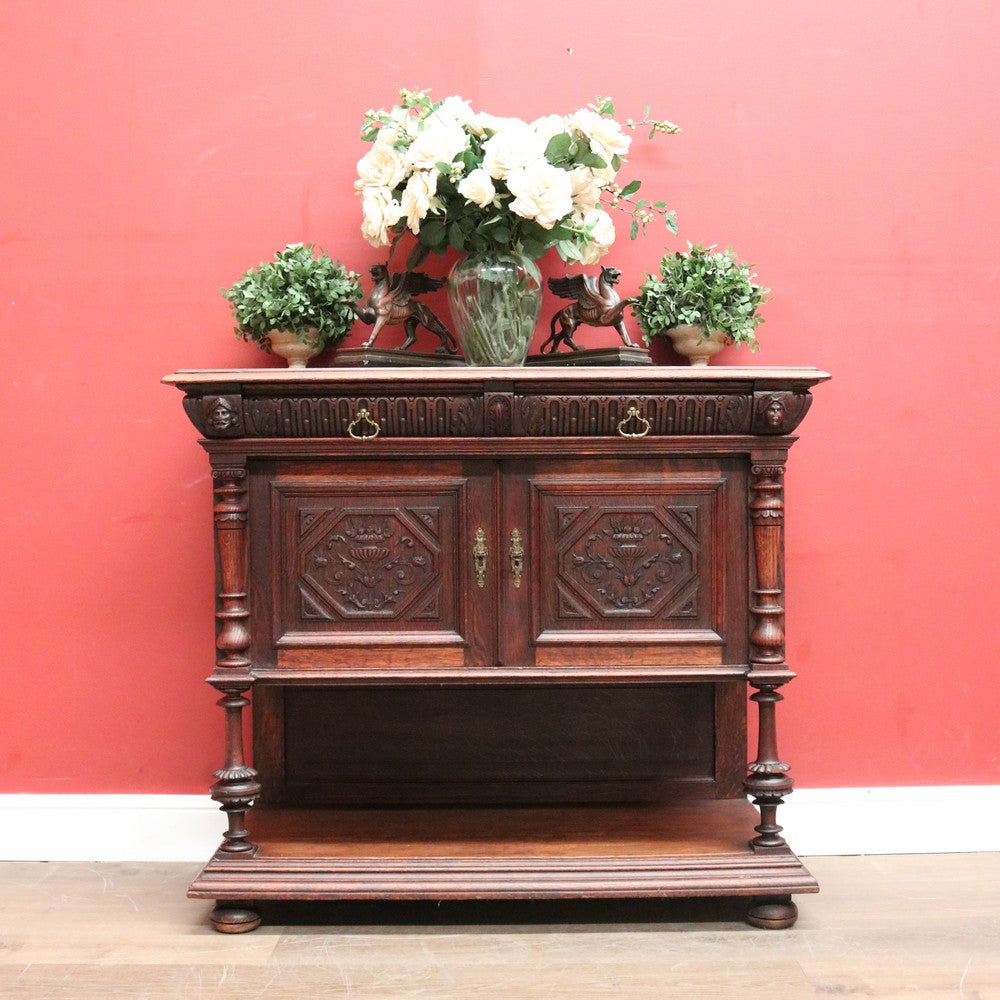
(514, 745)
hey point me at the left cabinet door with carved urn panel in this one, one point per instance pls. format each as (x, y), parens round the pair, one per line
(375, 564)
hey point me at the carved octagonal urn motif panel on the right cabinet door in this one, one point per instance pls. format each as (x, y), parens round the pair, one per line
(638, 562)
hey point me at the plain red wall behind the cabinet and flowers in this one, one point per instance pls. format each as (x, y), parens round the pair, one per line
(154, 152)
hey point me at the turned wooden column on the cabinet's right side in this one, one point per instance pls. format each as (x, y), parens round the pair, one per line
(767, 779)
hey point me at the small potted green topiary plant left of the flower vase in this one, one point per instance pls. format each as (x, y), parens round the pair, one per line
(295, 305)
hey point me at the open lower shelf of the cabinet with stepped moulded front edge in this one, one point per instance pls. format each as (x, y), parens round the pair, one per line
(697, 849)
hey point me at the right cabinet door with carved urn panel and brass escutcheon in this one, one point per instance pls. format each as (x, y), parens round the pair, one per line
(623, 564)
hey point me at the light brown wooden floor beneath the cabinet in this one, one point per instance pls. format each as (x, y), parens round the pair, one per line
(916, 926)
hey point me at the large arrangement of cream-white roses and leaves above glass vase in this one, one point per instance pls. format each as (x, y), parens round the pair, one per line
(454, 177)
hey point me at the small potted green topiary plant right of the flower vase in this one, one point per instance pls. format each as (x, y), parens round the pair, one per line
(702, 301)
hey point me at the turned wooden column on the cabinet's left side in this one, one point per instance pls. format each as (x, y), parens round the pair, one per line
(237, 785)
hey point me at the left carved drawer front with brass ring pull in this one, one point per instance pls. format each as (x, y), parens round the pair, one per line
(364, 416)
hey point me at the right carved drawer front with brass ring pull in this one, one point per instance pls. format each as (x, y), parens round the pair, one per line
(632, 416)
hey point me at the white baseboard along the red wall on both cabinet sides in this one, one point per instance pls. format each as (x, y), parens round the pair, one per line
(925, 820)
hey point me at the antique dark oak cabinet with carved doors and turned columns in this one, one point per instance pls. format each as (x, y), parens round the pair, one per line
(496, 630)
